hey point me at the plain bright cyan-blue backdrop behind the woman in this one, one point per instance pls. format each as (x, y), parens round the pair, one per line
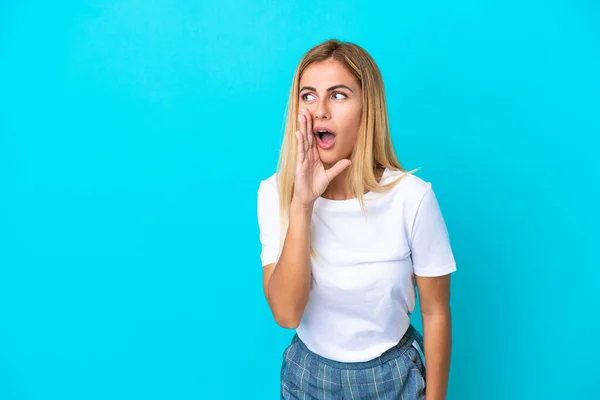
(134, 134)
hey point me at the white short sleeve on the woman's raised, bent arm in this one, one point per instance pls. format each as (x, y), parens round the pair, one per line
(268, 222)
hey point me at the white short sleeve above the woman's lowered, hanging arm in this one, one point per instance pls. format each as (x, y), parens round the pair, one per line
(431, 250)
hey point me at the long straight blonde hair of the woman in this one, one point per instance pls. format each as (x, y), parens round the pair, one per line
(374, 146)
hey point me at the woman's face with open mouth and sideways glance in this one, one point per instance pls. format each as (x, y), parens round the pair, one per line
(334, 98)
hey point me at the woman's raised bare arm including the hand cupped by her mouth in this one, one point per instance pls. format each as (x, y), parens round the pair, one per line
(287, 282)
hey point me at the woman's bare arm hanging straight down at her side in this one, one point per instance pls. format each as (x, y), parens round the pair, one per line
(434, 295)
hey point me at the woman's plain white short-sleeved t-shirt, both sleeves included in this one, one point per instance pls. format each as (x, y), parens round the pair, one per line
(363, 286)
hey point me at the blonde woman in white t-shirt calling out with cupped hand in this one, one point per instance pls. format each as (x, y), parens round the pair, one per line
(346, 235)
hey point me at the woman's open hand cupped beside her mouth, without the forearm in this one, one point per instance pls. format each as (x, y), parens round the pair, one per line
(311, 177)
